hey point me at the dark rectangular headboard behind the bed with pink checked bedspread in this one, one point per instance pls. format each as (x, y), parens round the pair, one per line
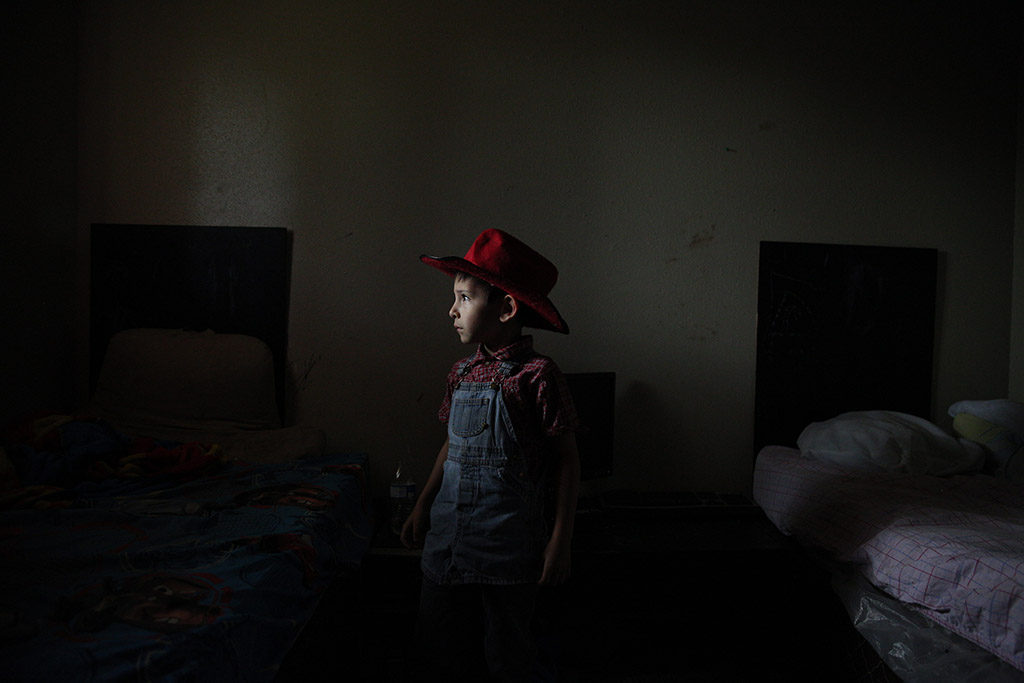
(841, 328)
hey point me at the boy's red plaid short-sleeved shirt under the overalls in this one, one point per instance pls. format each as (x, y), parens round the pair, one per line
(536, 395)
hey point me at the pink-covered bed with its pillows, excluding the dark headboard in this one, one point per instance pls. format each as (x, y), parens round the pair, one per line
(923, 532)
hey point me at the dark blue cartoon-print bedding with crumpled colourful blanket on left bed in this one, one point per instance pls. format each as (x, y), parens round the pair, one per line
(132, 560)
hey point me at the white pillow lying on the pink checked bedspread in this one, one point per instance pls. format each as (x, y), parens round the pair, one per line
(885, 441)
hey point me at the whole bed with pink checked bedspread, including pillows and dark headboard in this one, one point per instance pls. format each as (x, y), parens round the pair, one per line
(921, 528)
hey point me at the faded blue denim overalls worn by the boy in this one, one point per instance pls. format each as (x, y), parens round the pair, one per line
(487, 523)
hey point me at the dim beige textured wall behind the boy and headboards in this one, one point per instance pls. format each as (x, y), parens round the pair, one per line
(646, 151)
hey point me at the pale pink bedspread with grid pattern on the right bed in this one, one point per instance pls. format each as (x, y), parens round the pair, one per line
(953, 547)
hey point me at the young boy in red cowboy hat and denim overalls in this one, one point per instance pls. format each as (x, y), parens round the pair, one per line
(508, 466)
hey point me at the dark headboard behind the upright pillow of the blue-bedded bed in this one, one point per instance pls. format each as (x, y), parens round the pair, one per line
(229, 280)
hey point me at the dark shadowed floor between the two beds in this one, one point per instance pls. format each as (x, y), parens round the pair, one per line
(666, 597)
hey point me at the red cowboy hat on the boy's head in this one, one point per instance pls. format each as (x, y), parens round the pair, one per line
(500, 260)
